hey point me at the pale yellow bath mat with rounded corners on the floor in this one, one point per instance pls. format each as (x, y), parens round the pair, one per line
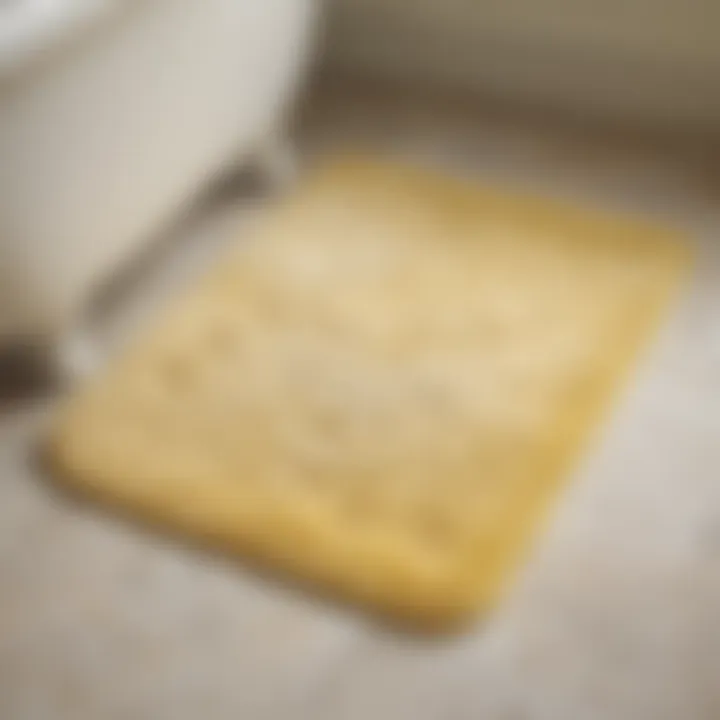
(381, 391)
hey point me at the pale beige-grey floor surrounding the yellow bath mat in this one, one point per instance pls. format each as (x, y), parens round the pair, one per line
(615, 617)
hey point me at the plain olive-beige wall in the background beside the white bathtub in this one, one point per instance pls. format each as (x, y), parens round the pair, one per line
(652, 61)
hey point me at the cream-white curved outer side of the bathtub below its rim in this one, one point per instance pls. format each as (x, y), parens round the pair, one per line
(102, 145)
